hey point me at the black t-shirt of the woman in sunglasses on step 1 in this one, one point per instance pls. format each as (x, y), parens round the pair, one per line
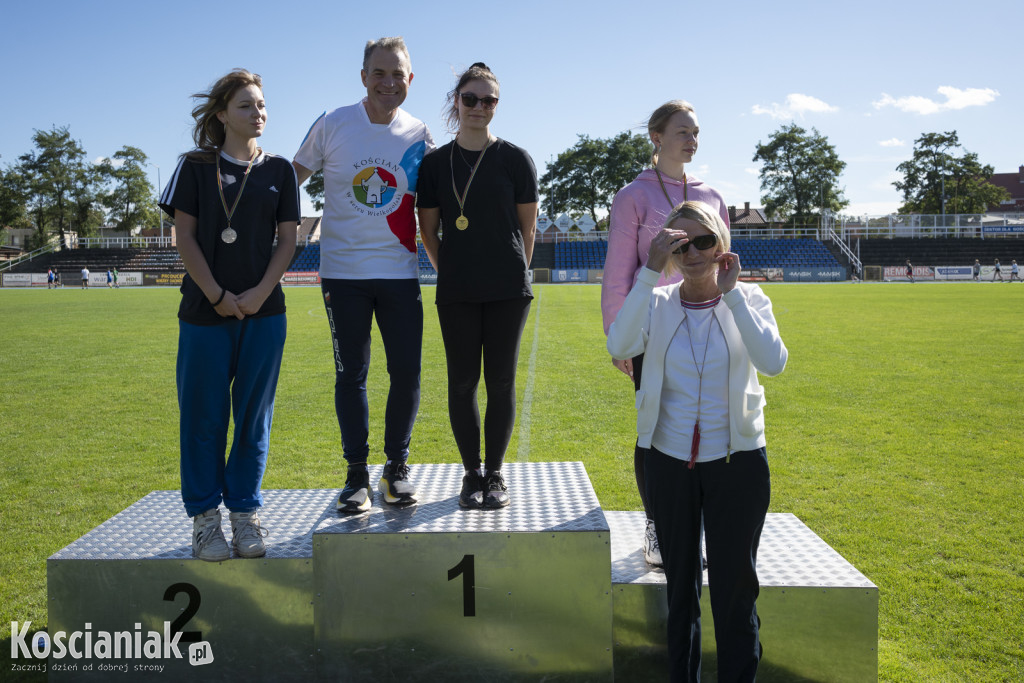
(487, 262)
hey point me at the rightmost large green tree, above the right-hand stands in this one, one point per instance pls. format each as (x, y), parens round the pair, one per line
(934, 166)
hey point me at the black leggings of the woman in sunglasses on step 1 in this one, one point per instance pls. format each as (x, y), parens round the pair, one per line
(491, 330)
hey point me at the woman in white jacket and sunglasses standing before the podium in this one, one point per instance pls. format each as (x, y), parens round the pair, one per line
(701, 413)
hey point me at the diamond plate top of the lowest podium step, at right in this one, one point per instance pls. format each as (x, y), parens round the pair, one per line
(790, 554)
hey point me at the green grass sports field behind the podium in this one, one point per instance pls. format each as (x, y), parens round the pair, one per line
(893, 435)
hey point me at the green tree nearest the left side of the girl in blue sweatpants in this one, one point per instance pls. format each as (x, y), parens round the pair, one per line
(131, 201)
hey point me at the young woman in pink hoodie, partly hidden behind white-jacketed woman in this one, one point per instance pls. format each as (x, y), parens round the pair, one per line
(638, 214)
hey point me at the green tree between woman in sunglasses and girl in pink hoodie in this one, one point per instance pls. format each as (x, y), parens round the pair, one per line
(586, 178)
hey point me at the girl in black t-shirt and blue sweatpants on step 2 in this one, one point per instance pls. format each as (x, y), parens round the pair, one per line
(230, 201)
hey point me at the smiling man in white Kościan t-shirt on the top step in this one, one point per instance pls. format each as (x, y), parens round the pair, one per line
(370, 154)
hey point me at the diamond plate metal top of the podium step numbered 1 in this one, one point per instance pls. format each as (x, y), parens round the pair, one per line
(546, 497)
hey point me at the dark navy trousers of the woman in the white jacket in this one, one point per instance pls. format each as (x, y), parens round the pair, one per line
(730, 497)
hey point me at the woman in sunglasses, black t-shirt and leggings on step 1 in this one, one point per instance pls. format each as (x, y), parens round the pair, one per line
(480, 192)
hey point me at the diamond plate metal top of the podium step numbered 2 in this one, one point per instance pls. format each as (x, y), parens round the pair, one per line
(157, 528)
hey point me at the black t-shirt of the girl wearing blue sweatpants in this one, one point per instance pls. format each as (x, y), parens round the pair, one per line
(271, 197)
